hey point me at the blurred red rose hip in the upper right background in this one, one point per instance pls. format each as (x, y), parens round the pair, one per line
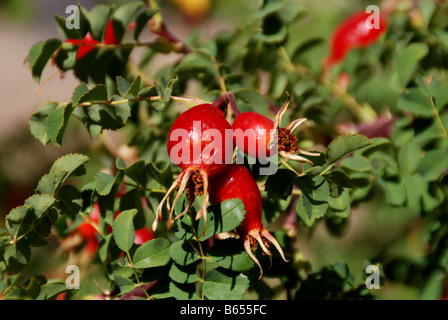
(353, 33)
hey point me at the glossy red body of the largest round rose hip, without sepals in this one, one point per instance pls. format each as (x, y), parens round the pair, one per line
(210, 117)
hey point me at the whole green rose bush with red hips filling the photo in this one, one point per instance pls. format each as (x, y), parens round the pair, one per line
(368, 188)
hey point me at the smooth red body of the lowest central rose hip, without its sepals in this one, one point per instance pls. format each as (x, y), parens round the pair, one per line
(238, 183)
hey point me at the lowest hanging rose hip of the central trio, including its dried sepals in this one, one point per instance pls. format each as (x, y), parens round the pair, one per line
(238, 183)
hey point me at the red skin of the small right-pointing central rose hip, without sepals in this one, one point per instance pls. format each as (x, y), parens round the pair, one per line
(259, 140)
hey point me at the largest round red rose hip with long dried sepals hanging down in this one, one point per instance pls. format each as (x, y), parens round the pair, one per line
(197, 143)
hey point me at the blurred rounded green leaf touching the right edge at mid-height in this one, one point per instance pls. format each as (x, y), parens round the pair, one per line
(433, 164)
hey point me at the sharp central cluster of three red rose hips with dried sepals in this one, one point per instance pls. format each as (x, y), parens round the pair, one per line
(210, 173)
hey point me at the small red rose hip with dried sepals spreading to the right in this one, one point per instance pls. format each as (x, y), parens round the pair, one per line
(260, 137)
